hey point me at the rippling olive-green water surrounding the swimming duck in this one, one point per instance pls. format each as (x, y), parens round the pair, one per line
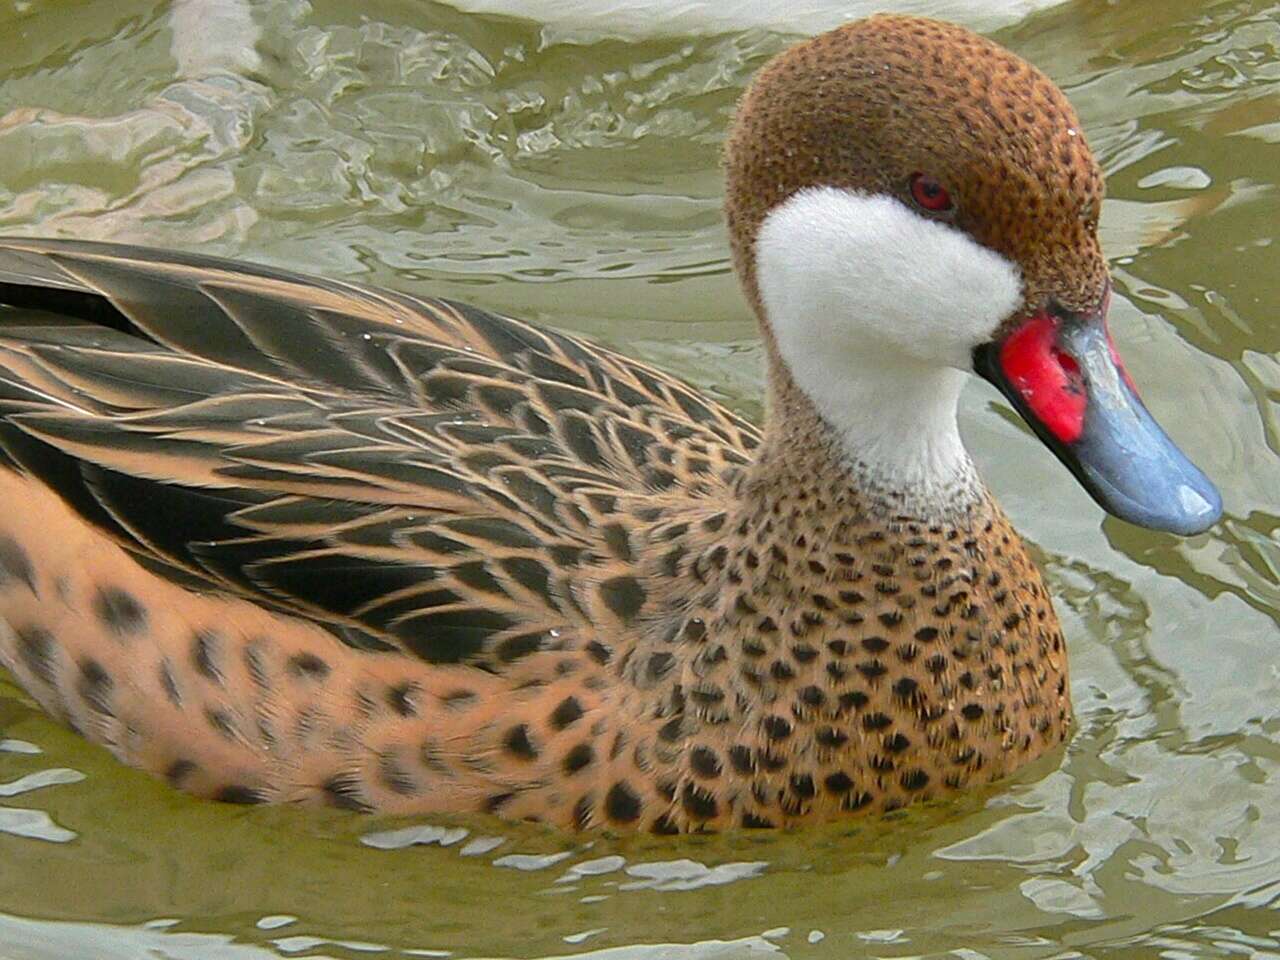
(577, 184)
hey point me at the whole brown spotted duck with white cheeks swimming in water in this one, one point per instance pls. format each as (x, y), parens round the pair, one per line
(286, 540)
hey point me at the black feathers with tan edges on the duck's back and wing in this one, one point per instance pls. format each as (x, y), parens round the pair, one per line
(414, 474)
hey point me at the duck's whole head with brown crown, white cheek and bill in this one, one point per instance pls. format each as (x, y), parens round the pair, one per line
(909, 204)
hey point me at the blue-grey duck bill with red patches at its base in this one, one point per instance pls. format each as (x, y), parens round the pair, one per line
(1064, 377)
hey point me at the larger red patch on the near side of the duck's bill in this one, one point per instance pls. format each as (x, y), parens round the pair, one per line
(1048, 380)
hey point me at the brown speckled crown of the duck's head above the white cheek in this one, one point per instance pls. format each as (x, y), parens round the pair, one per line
(867, 106)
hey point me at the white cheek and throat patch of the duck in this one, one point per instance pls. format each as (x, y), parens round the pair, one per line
(876, 312)
